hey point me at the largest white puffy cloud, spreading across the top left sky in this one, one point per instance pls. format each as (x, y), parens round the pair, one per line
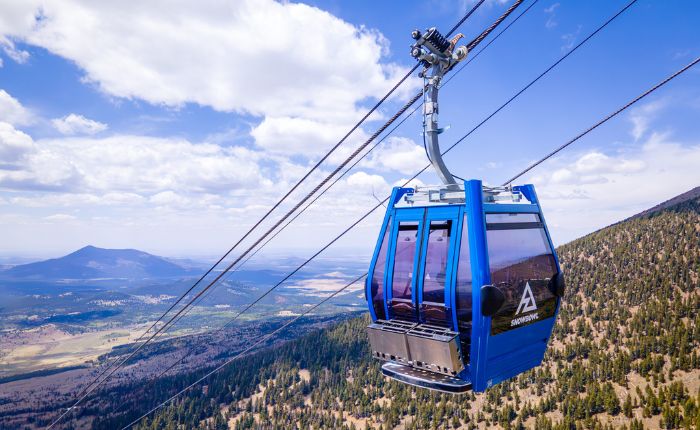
(292, 64)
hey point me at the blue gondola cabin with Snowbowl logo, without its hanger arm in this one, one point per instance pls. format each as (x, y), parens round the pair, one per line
(463, 287)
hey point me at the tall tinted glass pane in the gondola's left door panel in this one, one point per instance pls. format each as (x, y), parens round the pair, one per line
(402, 276)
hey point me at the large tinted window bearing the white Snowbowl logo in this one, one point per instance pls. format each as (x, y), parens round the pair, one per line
(522, 264)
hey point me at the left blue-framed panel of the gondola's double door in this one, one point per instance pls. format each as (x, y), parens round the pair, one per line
(405, 256)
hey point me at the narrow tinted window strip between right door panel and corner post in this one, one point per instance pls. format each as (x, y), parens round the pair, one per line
(464, 293)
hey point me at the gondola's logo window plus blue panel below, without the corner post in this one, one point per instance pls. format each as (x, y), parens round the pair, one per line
(522, 264)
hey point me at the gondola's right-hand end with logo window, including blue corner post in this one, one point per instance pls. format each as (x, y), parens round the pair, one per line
(513, 254)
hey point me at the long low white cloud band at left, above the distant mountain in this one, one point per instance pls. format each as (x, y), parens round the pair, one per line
(128, 165)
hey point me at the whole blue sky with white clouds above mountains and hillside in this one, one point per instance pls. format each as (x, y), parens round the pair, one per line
(171, 128)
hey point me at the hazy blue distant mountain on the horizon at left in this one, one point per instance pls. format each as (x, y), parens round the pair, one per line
(95, 263)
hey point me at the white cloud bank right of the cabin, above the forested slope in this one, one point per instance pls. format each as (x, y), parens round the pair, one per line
(593, 189)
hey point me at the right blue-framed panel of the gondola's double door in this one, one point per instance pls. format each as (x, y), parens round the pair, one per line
(435, 271)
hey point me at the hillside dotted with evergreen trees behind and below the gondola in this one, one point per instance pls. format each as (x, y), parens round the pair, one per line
(624, 354)
